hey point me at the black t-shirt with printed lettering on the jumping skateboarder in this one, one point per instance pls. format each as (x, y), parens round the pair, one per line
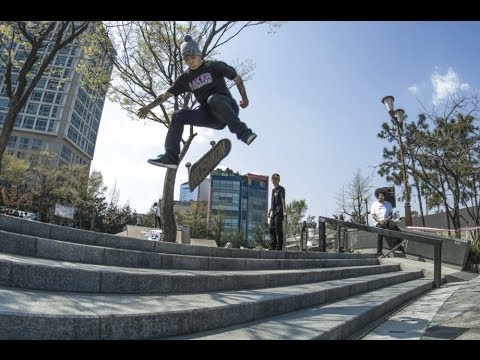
(208, 79)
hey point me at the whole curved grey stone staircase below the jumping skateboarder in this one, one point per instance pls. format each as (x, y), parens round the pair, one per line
(63, 283)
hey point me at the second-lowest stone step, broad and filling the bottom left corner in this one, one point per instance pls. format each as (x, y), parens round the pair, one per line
(31, 314)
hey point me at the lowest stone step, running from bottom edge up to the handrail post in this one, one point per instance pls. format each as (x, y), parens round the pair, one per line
(333, 321)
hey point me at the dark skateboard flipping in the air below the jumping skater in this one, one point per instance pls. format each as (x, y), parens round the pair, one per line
(208, 162)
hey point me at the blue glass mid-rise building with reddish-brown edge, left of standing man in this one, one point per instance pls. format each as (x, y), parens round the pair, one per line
(242, 201)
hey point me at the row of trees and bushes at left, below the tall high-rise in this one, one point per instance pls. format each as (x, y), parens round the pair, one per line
(34, 186)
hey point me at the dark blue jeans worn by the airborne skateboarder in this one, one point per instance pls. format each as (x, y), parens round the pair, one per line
(218, 112)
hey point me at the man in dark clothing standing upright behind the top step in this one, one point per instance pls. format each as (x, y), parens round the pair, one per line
(276, 214)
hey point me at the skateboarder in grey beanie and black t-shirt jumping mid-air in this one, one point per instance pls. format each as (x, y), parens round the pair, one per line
(206, 79)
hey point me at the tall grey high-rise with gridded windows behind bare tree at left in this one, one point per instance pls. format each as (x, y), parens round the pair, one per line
(59, 116)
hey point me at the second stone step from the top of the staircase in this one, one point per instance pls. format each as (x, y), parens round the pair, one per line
(104, 255)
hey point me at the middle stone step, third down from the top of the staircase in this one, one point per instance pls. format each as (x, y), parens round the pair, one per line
(42, 274)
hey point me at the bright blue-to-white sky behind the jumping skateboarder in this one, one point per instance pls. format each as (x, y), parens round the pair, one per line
(315, 103)
